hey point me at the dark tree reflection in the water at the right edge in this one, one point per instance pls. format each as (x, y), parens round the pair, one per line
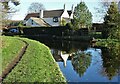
(111, 60)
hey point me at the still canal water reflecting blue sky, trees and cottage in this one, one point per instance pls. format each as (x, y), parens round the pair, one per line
(80, 62)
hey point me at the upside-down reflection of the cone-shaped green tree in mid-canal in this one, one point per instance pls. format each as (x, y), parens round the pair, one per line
(81, 61)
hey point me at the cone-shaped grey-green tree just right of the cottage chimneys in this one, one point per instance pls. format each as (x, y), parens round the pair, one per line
(82, 16)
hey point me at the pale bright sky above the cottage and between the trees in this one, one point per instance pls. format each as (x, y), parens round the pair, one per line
(56, 4)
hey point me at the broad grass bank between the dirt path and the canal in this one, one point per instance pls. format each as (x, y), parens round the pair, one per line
(37, 65)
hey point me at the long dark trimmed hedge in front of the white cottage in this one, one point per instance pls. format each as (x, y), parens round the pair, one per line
(50, 31)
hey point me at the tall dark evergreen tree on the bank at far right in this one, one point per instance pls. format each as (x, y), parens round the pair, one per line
(110, 20)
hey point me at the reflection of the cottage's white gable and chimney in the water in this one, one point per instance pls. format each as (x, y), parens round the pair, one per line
(61, 56)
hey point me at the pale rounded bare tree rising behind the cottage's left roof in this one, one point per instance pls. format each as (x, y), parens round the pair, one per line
(36, 7)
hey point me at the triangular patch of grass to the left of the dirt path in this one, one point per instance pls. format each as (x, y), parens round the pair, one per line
(10, 49)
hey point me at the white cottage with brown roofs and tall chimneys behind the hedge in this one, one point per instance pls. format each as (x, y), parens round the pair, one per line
(49, 17)
